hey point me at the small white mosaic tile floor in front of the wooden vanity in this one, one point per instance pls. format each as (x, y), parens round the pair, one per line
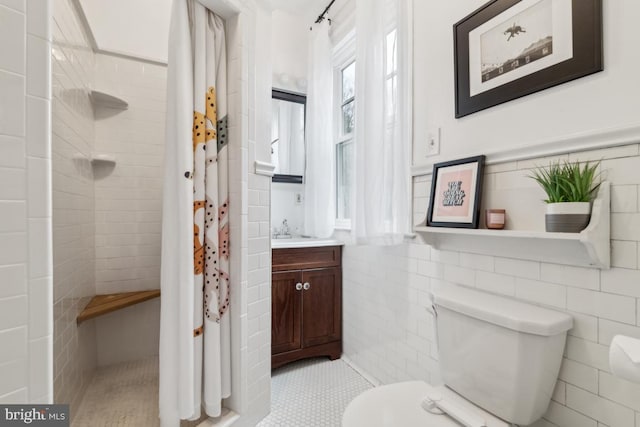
(312, 393)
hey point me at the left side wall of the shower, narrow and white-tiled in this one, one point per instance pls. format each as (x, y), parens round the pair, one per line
(73, 199)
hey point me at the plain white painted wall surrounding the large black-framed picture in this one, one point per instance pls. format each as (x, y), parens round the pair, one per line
(603, 100)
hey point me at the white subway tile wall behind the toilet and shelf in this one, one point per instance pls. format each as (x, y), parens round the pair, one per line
(389, 334)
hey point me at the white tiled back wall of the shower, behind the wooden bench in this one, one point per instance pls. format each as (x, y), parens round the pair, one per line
(128, 203)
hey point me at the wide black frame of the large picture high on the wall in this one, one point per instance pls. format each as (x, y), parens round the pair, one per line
(586, 16)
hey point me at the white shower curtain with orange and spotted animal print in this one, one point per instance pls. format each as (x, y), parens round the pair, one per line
(195, 357)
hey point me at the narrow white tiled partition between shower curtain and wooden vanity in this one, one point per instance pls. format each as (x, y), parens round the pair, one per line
(252, 104)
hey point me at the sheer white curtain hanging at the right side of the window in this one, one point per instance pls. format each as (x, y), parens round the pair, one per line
(381, 207)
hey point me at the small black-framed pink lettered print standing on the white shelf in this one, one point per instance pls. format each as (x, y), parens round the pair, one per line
(456, 191)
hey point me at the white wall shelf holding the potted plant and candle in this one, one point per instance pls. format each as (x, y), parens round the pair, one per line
(590, 248)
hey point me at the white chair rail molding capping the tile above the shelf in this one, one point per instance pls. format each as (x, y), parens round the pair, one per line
(568, 144)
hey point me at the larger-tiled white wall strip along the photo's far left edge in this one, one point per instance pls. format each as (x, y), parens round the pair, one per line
(26, 291)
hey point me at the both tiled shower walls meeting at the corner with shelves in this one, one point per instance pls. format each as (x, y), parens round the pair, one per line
(106, 218)
